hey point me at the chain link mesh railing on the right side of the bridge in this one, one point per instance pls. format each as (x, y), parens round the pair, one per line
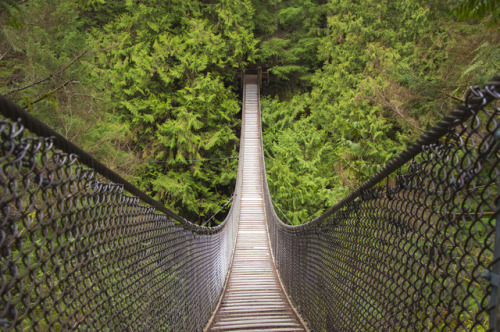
(416, 247)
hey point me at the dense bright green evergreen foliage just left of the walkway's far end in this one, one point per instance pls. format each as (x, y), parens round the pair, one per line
(170, 77)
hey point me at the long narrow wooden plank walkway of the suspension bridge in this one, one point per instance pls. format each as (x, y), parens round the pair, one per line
(254, 299)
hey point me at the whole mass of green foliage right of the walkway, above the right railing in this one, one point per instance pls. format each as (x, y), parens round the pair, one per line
(383, 79)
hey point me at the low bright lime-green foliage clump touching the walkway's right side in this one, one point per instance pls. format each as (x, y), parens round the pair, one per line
(297, 160)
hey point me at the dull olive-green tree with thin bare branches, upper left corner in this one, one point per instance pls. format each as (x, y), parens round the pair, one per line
(45, 66)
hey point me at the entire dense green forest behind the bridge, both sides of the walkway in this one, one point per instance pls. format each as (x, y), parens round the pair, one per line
(151, 88)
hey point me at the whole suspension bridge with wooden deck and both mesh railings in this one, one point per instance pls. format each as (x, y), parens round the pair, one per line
(416, 247)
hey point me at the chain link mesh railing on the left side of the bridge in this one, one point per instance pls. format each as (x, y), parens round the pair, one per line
(82, 249)
